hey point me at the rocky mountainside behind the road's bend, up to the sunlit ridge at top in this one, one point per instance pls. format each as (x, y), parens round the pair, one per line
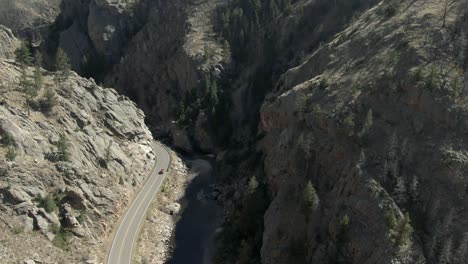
(156, 52)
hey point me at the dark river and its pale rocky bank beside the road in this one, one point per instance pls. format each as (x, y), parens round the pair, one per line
(174, 236)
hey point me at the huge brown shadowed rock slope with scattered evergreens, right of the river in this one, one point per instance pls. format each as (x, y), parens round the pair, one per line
(316, 129)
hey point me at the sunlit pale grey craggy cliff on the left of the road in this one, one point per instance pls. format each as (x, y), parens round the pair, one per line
(110, 155)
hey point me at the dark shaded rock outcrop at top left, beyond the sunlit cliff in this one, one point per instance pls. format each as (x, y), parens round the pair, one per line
(94, 32)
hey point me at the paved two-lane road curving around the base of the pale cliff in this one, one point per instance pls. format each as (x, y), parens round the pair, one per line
(126, 235)
